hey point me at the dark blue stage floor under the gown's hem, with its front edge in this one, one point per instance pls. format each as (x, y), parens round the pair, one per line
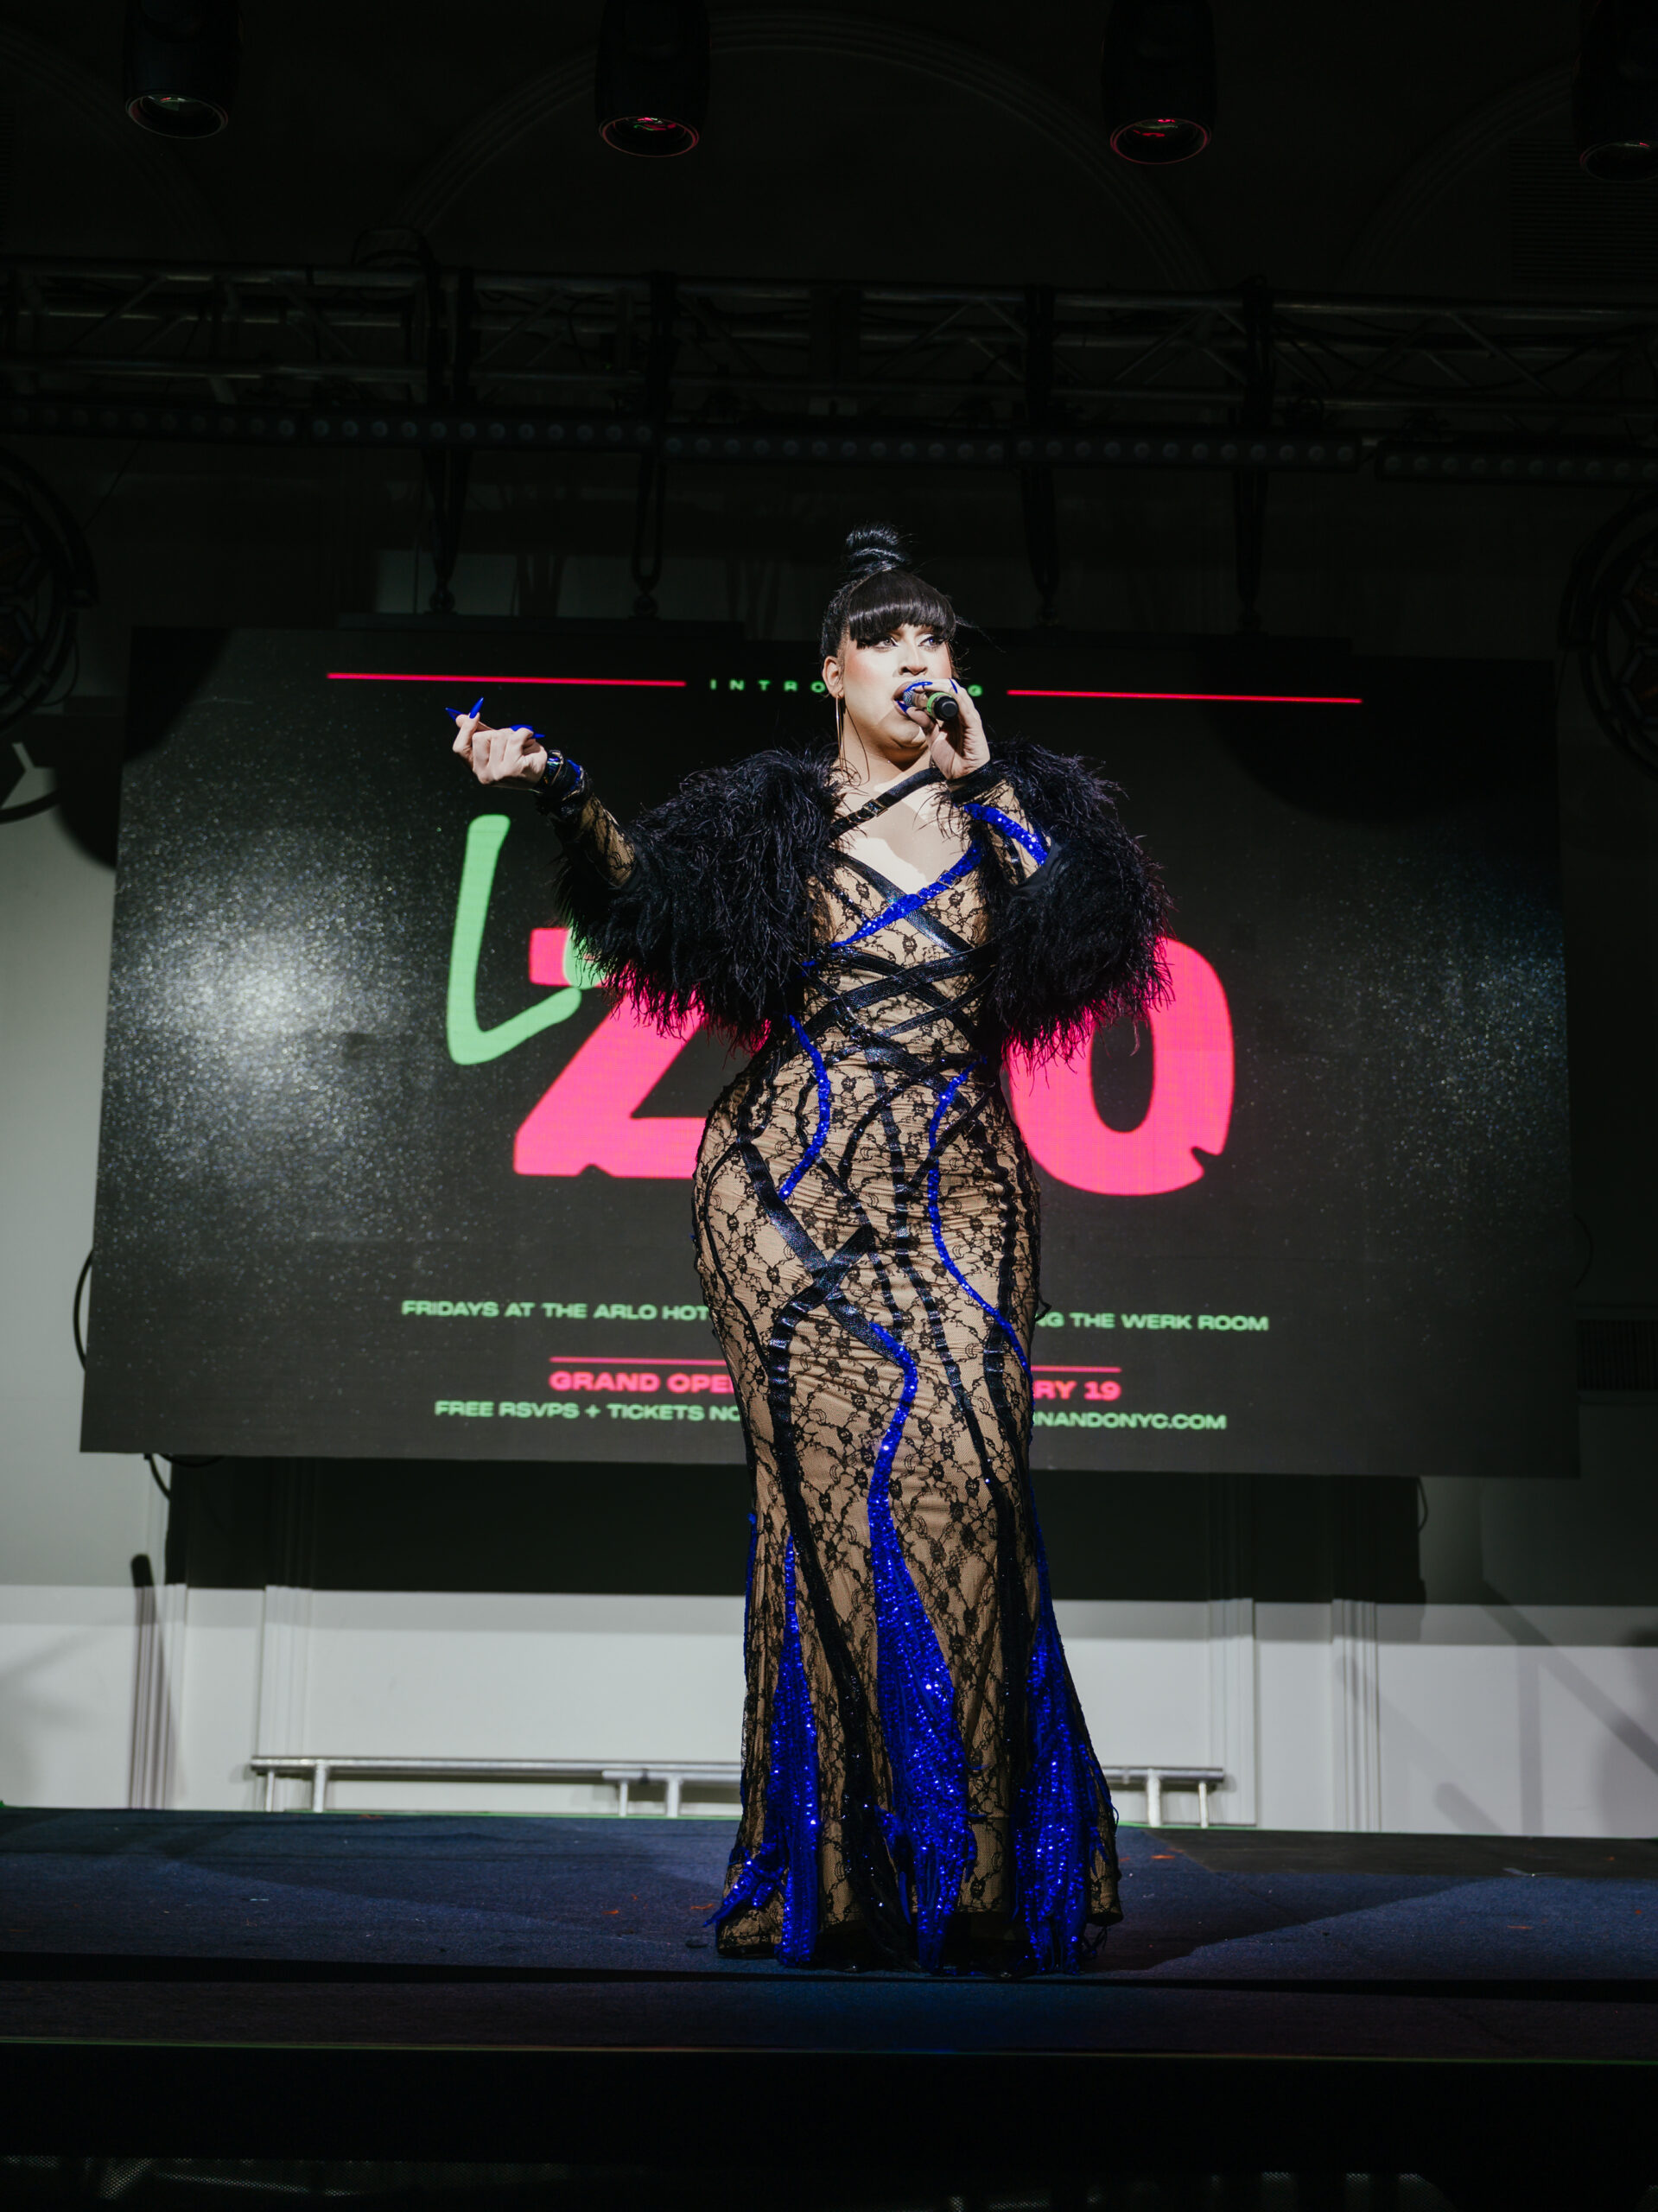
(357, 1930)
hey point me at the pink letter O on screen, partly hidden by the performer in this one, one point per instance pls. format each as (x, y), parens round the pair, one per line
(1190, 1098)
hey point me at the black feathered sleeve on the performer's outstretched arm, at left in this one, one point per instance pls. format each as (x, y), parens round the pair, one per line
(702, 908)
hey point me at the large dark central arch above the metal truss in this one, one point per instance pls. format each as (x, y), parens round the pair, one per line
(907, 156)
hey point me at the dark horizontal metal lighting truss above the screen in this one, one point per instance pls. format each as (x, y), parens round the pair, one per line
(722, 371)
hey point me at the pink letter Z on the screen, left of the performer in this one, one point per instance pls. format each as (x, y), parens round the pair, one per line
(589, 1114)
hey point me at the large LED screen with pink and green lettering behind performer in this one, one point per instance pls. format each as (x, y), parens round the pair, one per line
(386, 1173)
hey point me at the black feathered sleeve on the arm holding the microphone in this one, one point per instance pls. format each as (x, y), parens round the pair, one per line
(1075, 906)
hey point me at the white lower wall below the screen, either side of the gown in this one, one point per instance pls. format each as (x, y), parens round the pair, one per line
(1478, 1720)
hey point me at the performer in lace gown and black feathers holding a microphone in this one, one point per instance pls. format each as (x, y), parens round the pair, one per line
(883, 921)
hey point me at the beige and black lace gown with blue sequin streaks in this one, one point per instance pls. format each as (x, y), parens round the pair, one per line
(919, 1777)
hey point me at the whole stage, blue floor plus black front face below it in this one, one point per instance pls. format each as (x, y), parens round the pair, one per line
(485, 1983)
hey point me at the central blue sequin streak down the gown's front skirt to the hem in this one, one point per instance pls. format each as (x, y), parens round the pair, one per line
(927, 1828)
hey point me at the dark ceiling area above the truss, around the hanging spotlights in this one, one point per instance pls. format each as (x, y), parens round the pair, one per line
(1358, 147)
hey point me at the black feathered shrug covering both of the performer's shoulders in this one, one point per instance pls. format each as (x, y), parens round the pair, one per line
(717, 912)
